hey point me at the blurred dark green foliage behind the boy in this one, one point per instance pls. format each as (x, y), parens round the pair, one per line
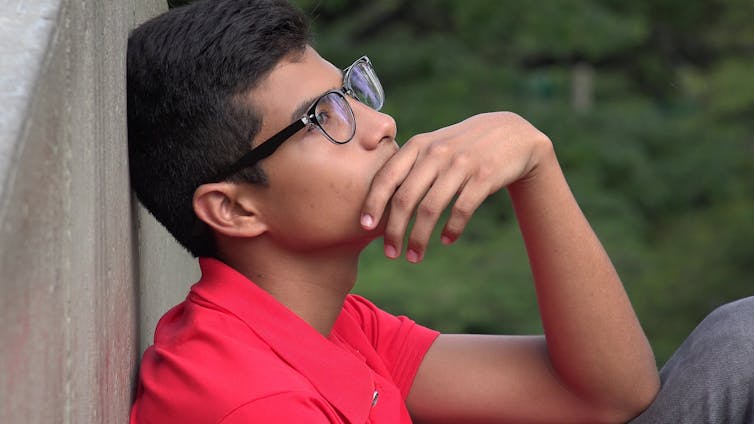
(650, 105)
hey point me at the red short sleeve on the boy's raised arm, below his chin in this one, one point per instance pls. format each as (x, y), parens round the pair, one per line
(399, 341)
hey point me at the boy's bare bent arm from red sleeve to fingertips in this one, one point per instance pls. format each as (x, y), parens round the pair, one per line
(595, 364)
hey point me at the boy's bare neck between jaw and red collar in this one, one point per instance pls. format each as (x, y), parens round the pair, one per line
(312, 284)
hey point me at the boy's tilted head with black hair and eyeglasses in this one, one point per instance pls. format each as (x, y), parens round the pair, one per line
(208, 81)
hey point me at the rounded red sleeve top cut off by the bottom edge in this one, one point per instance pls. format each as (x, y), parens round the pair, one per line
(288, 407)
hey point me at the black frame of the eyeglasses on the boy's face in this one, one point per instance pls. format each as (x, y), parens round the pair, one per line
(268, 147)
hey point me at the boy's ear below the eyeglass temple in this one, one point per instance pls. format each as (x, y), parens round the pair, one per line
(229, 209)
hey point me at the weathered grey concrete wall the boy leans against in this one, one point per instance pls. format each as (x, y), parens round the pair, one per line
(76, 254)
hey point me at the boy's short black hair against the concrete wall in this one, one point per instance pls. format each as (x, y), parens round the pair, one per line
(189, 74)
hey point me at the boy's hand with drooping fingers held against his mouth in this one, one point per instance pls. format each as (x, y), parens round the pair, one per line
(472, 159)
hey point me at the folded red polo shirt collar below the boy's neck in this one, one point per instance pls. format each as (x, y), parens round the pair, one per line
(341, 378)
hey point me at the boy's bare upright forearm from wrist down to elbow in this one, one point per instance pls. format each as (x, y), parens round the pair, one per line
(595, 342)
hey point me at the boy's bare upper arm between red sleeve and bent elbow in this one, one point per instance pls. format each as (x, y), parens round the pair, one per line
(477, 378)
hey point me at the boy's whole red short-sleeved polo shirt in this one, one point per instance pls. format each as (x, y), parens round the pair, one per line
(231, 353)
